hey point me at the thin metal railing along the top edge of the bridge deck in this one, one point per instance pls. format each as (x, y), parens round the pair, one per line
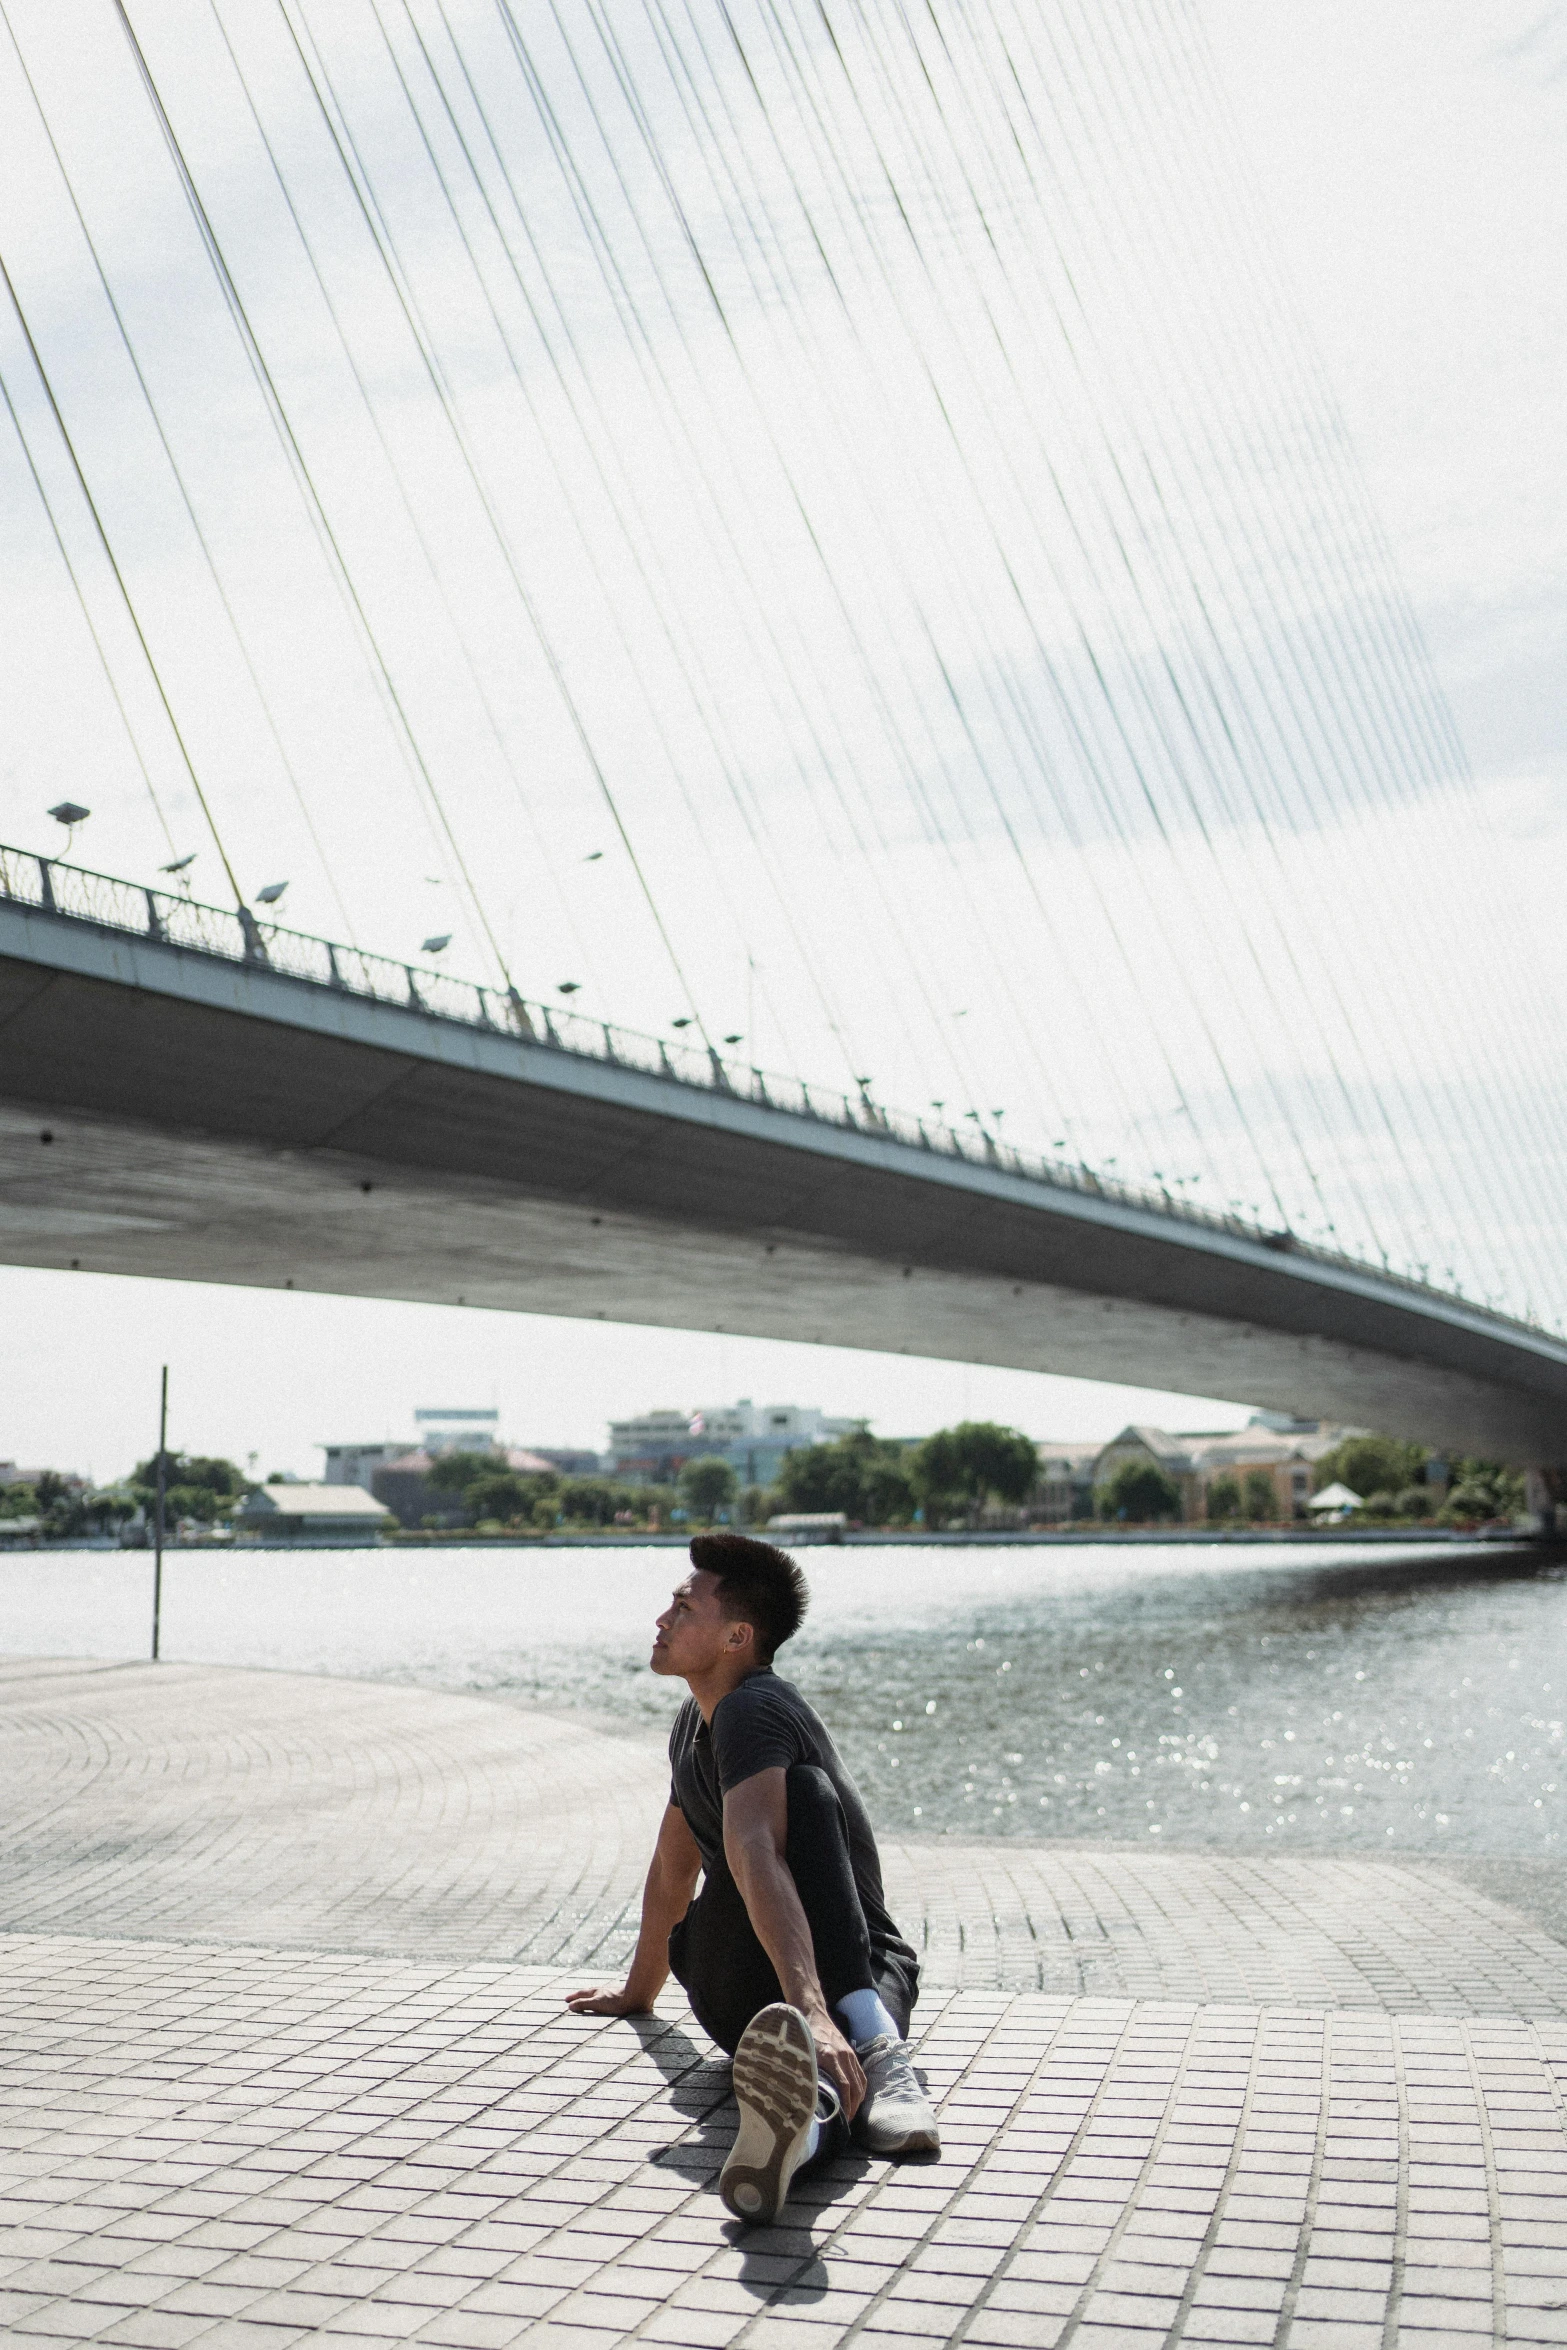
(177, 920)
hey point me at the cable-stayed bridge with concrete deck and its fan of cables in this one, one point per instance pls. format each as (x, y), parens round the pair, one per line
(802, 525)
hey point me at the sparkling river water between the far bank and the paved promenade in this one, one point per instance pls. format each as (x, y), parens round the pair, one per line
(1319, 1698)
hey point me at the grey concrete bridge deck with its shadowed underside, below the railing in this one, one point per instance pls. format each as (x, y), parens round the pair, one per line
(217, 1124)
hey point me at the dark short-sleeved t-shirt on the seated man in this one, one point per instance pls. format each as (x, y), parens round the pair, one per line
(765, 1724)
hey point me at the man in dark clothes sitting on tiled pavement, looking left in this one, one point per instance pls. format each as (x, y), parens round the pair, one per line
(788, 1954)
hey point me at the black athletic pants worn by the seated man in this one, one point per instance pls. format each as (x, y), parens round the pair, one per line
(715, 1952)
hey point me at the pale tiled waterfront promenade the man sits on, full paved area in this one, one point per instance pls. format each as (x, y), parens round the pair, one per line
(285, 2060)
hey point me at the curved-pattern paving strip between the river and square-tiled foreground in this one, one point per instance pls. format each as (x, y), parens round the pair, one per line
(215, 1806)
